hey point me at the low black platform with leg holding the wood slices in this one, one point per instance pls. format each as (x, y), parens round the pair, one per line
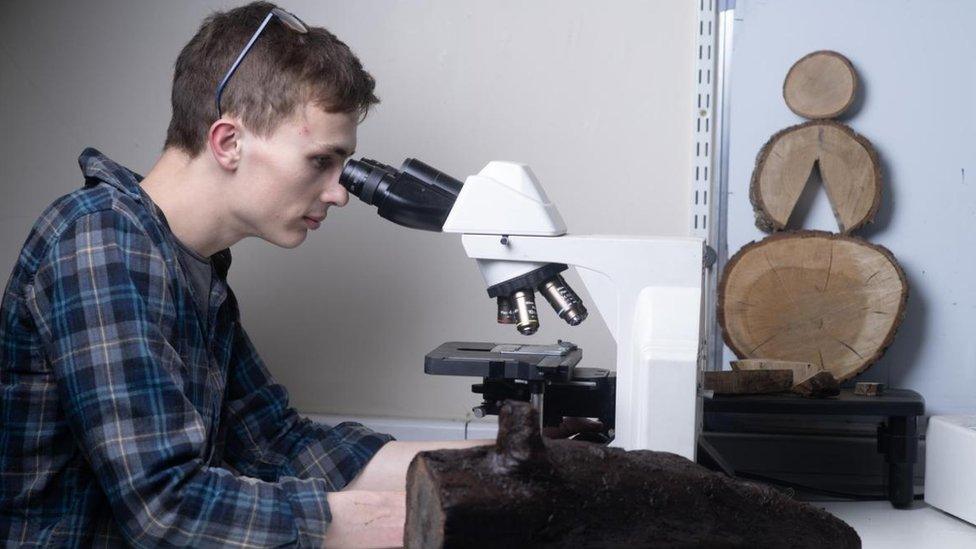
(897, 434)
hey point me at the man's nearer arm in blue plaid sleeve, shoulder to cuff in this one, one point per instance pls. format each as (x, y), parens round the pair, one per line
(99, 298)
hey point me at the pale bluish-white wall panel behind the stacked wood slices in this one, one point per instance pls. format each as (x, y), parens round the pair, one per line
(915, 64)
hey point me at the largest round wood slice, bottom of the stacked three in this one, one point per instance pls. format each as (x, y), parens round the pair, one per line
(812, 296)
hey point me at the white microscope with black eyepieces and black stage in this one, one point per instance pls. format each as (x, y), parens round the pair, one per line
(647, 289)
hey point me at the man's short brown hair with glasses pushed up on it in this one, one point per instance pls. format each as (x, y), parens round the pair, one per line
(283, 71)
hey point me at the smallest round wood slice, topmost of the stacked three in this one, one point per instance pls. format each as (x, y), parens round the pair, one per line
(820, 85)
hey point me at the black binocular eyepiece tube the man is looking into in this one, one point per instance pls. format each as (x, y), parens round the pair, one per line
(416, 196)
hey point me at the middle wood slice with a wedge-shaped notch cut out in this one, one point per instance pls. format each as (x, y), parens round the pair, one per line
(848, 165)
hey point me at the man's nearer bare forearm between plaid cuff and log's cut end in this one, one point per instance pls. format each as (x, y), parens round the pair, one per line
(366, 519)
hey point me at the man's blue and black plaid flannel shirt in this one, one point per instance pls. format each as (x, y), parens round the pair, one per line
(125, 415)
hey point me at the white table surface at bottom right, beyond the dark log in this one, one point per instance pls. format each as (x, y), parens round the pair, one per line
(922, 526)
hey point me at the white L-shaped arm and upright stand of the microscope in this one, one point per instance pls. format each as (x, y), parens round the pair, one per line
(649, 292)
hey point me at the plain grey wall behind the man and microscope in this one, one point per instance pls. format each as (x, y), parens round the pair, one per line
(596, 97)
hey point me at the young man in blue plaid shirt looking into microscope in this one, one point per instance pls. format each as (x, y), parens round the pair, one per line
(134, 408)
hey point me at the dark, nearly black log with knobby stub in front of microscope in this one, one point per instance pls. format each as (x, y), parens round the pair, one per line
(527, 492)
